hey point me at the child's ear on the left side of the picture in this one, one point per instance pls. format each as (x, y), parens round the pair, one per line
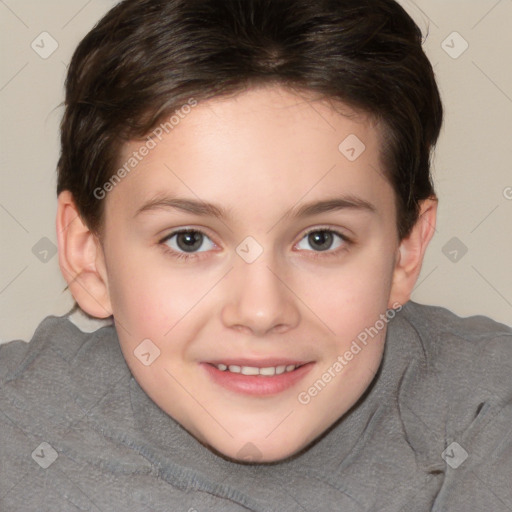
(81, 259)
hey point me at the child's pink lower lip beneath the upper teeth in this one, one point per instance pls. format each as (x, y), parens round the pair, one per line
(257, 384)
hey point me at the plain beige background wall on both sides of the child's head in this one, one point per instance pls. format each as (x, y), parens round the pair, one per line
(472, 166)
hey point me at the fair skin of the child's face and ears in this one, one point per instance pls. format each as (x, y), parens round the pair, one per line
(260, 155)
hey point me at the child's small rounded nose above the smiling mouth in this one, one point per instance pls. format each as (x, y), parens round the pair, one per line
(259, 299)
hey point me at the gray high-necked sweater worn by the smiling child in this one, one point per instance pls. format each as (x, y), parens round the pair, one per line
(433, 432)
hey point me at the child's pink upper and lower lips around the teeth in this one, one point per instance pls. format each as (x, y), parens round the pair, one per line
(257, 385)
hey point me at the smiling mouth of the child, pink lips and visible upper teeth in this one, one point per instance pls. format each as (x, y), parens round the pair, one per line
(266, 377)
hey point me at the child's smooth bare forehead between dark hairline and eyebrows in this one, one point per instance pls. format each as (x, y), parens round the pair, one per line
(265, 144)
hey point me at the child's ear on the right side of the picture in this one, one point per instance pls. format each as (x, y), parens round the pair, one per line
(411, 251)
